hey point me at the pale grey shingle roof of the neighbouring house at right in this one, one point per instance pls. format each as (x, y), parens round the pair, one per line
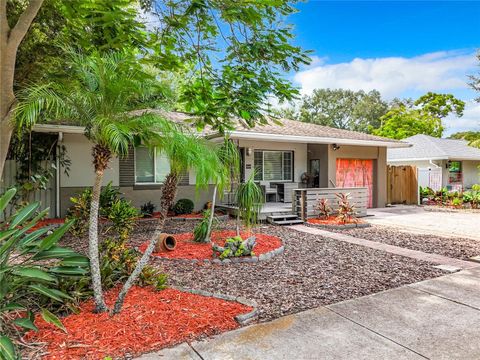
(428, 147)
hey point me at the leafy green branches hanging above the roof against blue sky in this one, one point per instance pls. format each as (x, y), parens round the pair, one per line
(233, 54)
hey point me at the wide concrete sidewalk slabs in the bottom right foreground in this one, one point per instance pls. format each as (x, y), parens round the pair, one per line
(434, 319)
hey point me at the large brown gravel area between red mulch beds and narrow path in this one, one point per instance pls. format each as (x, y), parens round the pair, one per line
(313, 271)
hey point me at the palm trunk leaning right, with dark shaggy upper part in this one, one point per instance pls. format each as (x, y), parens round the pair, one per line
(169, 191)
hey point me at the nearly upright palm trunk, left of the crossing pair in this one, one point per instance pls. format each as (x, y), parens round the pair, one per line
(100, 305)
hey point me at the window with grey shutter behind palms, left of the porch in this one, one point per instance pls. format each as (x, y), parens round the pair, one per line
(150, 167)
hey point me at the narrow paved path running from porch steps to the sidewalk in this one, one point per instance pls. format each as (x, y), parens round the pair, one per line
(441, 262)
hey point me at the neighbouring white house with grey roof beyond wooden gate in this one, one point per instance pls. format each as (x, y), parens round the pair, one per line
(441, 162)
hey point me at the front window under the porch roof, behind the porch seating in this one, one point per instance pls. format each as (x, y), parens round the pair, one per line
(273, 165)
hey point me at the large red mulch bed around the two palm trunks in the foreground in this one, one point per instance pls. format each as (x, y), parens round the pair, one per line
(150, 320)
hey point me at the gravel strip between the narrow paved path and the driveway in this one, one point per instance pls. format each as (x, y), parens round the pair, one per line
(459, 248)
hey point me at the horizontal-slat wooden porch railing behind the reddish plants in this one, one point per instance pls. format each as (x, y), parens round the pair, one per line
(305, 200)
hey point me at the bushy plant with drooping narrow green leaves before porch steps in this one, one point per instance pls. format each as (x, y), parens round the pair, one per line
(250, 199)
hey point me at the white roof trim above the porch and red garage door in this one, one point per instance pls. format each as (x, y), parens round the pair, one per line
(315, 139)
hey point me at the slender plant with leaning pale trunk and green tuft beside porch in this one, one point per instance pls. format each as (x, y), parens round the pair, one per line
(229, 160)
